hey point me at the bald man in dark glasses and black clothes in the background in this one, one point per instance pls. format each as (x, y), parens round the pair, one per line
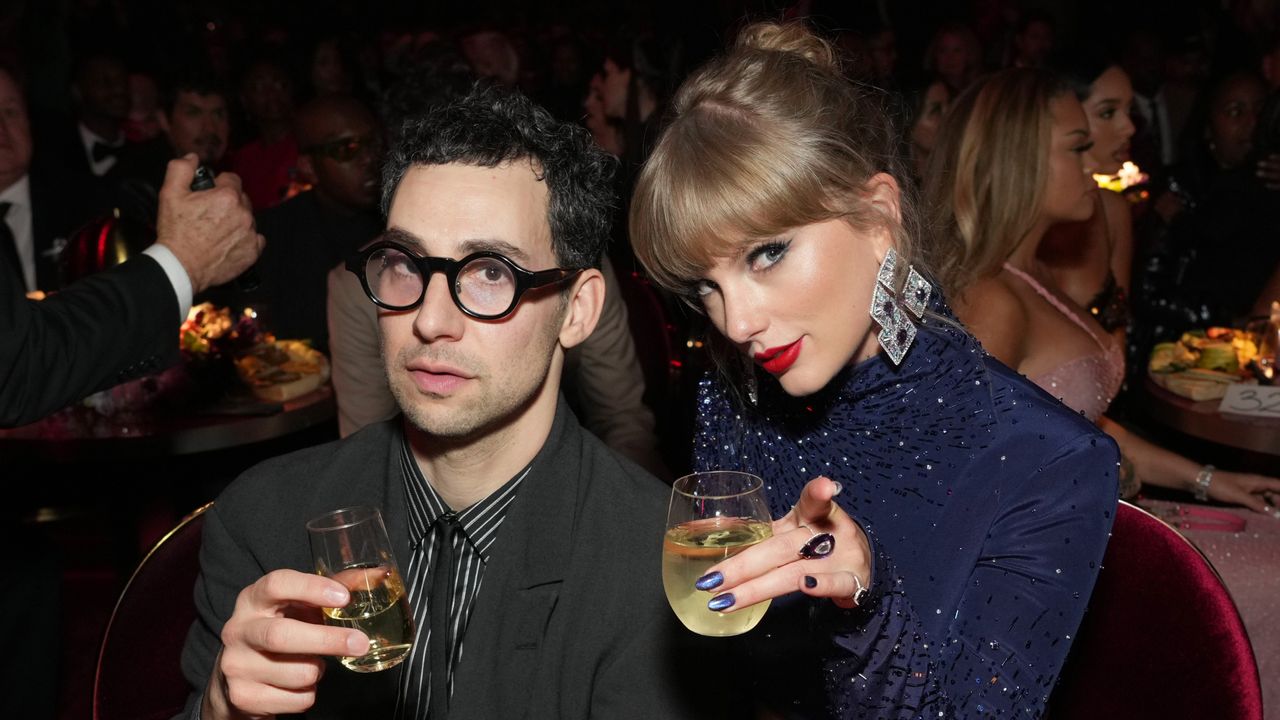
(317, 230)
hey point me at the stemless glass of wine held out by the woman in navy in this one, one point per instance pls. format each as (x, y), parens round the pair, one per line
(714, 516)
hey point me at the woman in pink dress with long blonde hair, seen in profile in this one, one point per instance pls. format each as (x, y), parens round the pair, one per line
(993, 211)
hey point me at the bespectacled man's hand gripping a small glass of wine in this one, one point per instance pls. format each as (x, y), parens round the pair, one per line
(272, 657)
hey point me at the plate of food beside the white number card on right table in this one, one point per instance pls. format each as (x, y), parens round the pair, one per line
(1201, 364)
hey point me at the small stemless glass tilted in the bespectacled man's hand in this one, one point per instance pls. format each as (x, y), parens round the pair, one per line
(351, 546)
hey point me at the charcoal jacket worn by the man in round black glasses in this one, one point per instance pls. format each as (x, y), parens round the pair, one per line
(570, 623)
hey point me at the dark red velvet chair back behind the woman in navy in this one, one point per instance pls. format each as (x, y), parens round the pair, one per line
(1162, 639)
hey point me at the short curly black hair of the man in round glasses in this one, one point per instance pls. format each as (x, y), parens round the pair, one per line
(492, 126)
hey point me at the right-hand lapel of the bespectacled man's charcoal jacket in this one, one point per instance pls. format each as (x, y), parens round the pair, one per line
(522, 586)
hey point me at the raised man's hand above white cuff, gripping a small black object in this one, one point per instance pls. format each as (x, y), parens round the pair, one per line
(211, 231)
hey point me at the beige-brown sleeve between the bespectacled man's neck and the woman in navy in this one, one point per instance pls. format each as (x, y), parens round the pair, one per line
(611, 388)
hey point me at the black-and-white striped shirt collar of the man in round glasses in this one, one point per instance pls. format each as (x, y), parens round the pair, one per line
(479, 522)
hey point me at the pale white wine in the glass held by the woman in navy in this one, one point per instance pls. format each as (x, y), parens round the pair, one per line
(691, 550)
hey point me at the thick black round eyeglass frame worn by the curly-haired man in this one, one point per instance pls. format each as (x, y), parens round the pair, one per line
(429, 266)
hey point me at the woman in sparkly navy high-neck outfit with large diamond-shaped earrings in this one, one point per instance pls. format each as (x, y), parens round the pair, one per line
(970, 511)
